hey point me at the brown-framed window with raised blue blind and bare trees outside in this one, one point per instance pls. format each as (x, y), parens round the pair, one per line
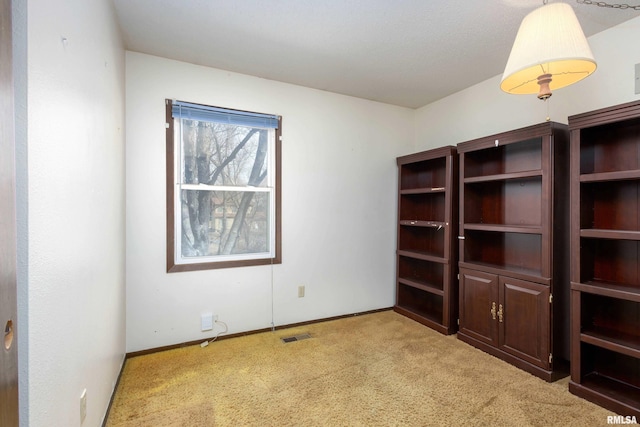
(223, 187)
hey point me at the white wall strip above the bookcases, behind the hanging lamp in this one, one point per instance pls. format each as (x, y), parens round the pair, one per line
(483, 109)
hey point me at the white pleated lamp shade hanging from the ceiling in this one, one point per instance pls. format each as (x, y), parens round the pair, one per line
(549, 41)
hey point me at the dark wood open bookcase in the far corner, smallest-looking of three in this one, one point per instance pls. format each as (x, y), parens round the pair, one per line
(426, 257)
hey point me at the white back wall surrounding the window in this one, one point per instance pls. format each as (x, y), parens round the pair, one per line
(338, 206)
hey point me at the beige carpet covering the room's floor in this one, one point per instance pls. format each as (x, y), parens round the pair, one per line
(379, 369)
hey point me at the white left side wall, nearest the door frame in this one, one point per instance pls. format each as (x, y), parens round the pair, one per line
(76, 232)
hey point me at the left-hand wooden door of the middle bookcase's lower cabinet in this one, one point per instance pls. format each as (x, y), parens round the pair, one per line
(479, 305)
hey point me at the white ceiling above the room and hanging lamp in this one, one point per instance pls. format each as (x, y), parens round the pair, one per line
(402, 52)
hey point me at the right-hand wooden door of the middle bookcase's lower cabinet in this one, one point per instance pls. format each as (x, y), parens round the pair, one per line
(523, 319)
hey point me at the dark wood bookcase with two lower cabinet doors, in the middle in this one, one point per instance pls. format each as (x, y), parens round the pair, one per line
(514, 240)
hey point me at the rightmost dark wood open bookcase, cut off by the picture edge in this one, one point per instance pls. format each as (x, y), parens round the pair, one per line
(605, 246)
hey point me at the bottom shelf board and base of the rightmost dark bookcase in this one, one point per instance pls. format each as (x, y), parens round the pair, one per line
(625, 401)
